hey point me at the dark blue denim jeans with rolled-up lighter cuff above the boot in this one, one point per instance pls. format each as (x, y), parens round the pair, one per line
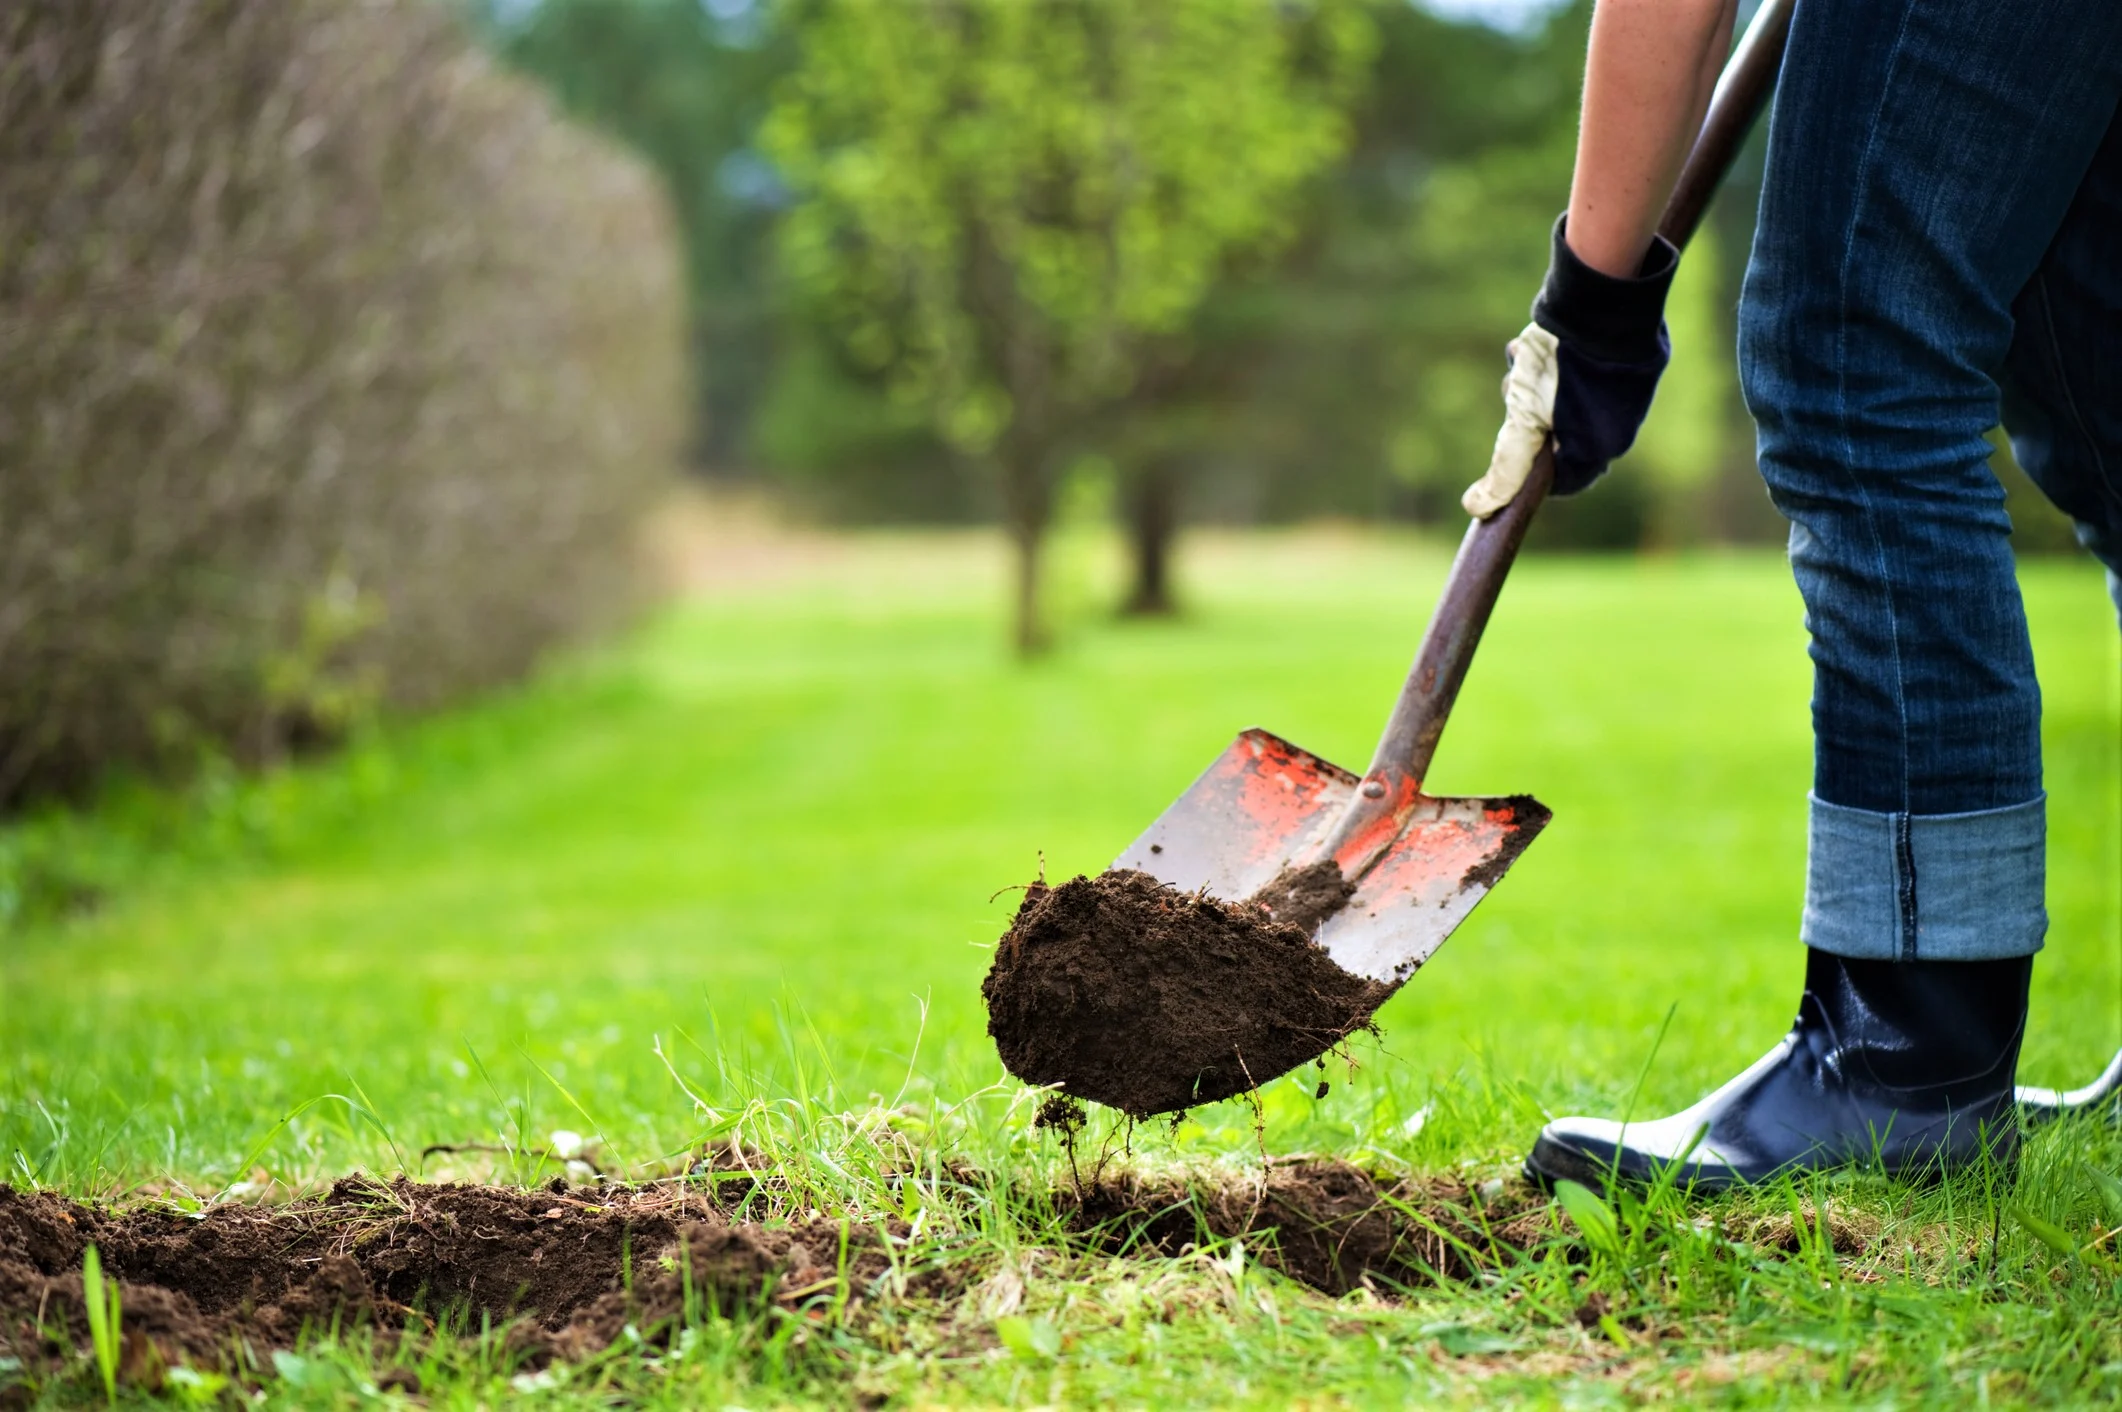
(1938, 252)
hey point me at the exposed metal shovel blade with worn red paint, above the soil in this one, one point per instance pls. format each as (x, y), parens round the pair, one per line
(1268, 804)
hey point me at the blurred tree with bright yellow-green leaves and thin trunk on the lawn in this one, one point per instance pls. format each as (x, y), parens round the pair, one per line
(1009, 207)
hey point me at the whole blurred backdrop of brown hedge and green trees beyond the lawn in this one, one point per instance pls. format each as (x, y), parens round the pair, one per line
(347, 343)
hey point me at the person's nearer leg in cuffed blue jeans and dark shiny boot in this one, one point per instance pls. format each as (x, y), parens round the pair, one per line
(1921, 158)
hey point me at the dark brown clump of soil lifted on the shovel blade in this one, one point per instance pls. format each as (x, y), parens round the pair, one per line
(1151, 1001)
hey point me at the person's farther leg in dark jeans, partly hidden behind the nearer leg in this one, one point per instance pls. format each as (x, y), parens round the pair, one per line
(2064, 377)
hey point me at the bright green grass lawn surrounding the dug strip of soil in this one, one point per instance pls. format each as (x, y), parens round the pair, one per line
(767, 836)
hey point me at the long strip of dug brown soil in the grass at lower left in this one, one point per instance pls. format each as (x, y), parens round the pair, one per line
(574, 1269)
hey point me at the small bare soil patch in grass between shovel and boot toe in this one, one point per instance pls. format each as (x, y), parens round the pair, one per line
(1327, 1224)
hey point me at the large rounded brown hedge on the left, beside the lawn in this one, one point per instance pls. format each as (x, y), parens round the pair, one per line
(334, 371)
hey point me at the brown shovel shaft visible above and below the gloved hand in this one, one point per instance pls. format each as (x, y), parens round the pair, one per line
(1491, 547)
